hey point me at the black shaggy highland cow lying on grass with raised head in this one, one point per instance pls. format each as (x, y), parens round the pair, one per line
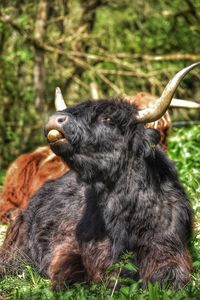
(122, 193)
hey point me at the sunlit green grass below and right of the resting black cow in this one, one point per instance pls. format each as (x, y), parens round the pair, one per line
(184, 149)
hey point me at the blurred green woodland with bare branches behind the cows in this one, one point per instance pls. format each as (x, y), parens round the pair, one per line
(114, 44)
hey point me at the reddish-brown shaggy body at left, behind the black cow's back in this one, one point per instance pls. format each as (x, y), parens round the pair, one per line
(25, 176)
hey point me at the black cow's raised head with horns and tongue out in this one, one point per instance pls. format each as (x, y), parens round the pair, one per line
(97, 138)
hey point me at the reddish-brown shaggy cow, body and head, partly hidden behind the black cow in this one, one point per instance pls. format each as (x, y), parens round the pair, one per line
(31, 170)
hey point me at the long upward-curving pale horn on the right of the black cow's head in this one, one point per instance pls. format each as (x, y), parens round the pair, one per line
(156, 111)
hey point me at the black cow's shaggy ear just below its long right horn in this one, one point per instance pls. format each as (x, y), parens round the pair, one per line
(152, 140)
